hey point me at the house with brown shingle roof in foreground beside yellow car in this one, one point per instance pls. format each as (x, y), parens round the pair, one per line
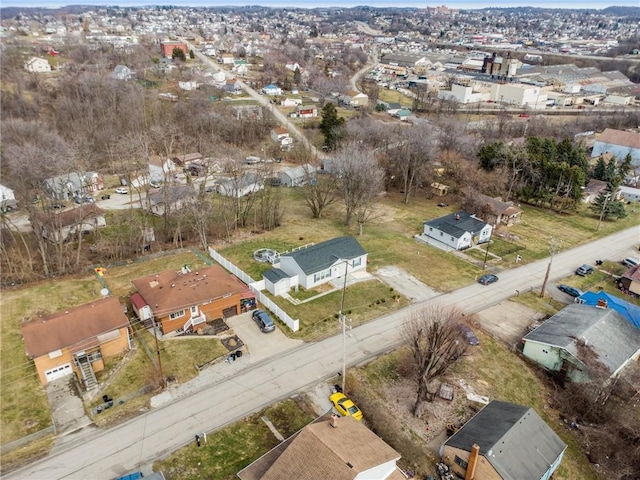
(336, 448)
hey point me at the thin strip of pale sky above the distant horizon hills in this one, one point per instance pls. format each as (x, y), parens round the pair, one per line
(598, 4)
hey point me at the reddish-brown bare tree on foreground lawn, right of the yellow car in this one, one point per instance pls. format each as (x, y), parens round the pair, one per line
(436, 343)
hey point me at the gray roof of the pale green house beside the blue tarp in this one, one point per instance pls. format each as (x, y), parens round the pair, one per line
(610, 335)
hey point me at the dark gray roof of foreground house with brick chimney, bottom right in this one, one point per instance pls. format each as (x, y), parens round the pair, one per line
(513, 438)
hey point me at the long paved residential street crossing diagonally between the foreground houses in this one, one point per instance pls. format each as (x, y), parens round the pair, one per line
(241, 388)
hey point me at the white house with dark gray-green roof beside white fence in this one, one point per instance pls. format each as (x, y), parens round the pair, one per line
(313, 265)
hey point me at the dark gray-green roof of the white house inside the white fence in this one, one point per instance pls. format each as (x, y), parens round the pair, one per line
(322, 255)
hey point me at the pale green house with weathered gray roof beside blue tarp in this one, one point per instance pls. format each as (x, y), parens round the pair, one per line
(558, 344)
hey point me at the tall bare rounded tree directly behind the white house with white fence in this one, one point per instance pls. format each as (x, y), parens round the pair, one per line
(362, 180)
